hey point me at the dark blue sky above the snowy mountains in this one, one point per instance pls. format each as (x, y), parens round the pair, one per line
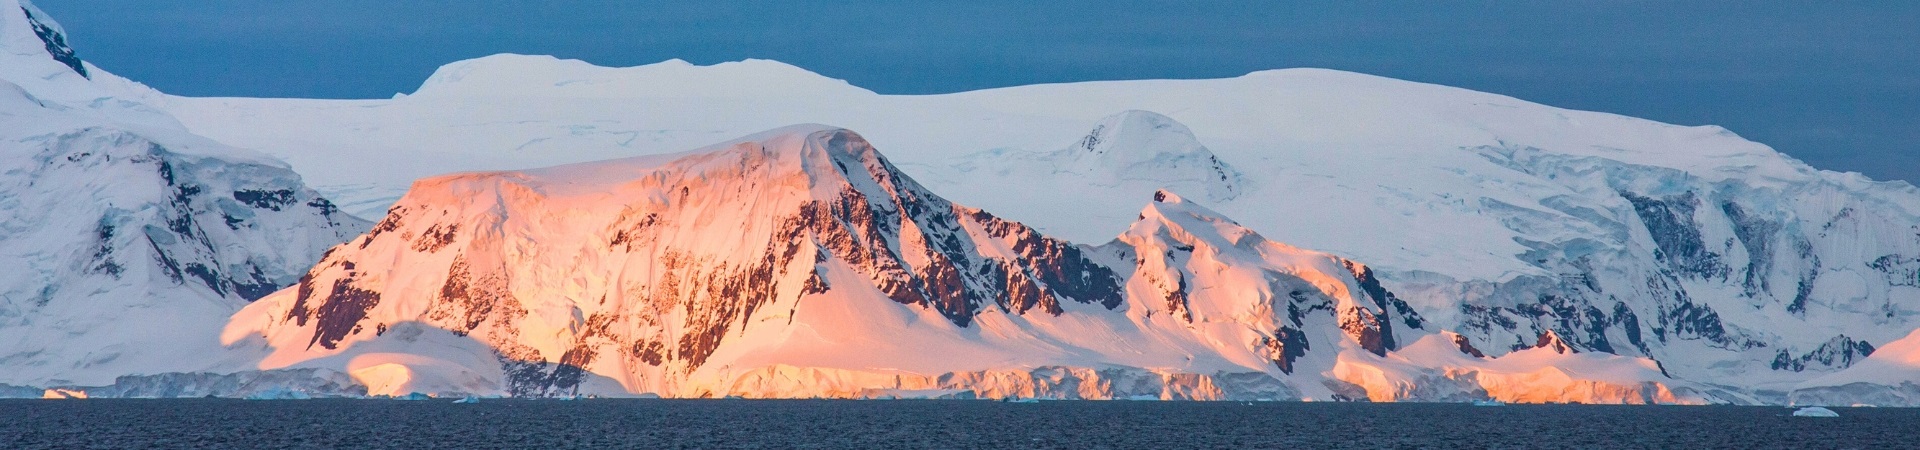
(1836, 86)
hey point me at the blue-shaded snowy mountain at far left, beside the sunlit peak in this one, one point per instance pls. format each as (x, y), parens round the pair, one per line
(128, 239)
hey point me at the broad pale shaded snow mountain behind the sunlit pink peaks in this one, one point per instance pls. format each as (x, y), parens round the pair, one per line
(1497, 218)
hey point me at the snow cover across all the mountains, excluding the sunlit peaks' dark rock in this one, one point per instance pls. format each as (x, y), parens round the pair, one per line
(1639, 253)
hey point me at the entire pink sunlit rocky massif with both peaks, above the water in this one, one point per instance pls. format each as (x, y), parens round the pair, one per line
(800, 262)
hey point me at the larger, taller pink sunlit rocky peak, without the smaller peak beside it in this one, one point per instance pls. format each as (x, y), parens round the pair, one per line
(790, 226)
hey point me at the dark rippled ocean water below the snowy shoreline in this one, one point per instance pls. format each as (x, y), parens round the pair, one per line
(926, 424)
